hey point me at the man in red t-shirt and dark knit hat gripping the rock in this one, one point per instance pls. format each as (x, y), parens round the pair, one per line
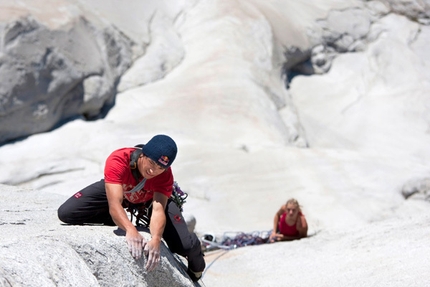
(139, 176)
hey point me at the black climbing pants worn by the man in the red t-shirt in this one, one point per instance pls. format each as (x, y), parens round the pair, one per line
(90, 205)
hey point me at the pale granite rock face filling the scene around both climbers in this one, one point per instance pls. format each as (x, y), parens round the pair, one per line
(325, 101)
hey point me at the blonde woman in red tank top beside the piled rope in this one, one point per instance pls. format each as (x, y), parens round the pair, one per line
(289, 223)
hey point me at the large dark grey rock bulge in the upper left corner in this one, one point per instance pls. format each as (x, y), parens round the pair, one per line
(51, 74)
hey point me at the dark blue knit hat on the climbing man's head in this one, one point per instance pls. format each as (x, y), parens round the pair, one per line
(161, 149)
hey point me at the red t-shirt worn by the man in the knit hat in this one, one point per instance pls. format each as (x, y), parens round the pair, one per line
(117, 171)
